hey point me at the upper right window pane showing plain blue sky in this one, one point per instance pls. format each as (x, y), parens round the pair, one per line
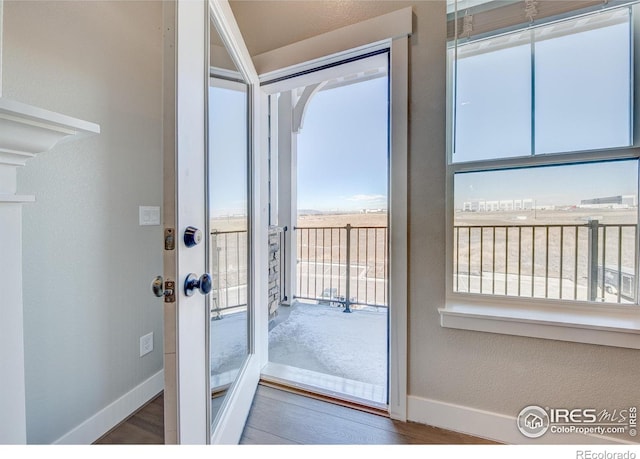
(582, 83)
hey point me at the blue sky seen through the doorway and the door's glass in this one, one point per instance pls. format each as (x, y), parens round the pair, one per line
(342, 150)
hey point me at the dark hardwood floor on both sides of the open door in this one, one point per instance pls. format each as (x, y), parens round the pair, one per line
(280, 417)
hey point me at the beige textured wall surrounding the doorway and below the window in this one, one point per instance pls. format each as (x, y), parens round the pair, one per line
(492, 372)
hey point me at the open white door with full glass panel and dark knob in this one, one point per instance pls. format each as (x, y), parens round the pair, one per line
(211, 363)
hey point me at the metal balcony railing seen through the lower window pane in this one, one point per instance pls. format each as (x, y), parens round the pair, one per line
(588, 262)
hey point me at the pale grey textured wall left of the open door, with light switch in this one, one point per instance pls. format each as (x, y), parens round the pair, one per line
(87, 263)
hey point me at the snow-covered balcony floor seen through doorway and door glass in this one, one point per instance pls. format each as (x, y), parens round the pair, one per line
(314, 337)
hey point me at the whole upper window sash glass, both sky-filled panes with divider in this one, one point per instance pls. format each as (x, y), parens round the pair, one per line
(562, 87)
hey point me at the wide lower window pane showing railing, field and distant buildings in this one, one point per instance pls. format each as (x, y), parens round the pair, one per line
(559, 232)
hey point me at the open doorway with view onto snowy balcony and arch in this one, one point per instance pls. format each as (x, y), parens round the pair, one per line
(329, 216)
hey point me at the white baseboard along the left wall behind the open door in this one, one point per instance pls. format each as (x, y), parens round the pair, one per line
(110, 416)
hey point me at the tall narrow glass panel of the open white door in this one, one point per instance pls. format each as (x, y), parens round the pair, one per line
(228, 221)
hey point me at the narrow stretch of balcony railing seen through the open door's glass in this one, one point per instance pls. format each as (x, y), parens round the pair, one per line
(228, 271)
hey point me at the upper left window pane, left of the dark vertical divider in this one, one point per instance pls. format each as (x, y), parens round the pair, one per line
(493, 99)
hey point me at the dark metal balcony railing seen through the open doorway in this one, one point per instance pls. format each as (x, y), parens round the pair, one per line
(343, 265)
